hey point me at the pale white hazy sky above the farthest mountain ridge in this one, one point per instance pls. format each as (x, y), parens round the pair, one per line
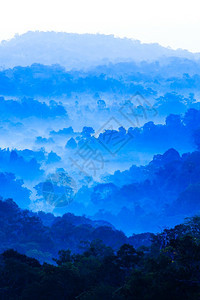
(174, 23)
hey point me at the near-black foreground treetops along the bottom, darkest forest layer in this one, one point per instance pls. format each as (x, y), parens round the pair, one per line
(169, 269)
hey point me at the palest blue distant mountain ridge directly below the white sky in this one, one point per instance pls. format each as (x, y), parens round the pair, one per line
(78, 51)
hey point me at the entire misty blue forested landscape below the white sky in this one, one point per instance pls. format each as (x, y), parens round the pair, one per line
(99, 169)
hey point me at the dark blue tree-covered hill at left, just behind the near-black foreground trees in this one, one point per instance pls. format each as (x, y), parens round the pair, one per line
(41, 235)
